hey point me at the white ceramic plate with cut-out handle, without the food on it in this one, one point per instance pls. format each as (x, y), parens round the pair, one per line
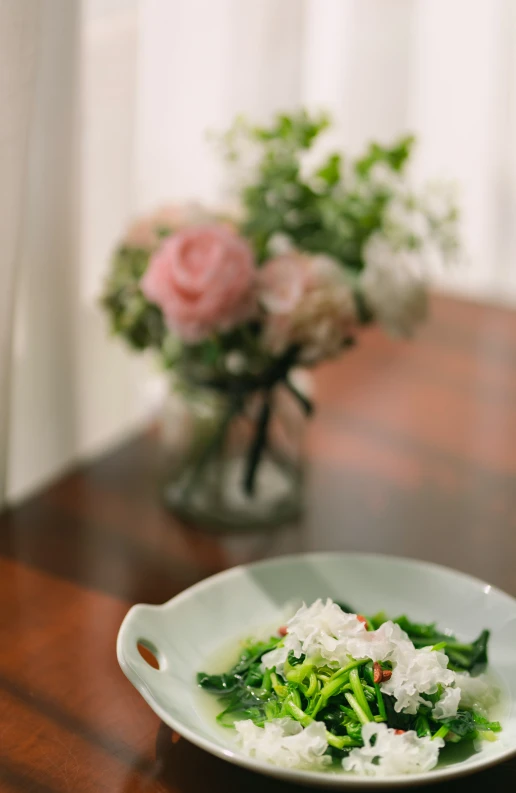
(190, 629)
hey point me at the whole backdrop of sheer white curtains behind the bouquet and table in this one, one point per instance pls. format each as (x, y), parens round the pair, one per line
(104, 106)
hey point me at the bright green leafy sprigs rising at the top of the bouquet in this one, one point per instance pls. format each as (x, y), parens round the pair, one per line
(321, 211)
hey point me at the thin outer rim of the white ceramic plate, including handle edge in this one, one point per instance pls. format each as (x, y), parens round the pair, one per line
(319, 778)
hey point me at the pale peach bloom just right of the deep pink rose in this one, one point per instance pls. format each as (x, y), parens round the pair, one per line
(307, 302)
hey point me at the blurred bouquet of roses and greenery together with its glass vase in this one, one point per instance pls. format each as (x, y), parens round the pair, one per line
(233, 303)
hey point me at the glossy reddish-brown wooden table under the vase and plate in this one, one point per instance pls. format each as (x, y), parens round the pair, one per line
(413, 451)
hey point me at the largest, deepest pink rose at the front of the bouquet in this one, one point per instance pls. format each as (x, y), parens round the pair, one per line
(203, 280)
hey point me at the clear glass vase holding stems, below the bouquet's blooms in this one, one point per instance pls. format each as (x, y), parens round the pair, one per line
(235, 461)
